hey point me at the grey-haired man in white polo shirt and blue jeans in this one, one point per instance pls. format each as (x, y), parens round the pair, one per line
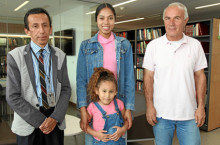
(175, 82)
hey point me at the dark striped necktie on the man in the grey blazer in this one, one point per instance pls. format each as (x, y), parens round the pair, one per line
(42, 80)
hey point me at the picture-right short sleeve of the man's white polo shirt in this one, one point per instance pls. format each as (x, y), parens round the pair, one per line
(201, 61)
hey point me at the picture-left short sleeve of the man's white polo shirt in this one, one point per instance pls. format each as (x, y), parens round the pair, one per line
(148, 62)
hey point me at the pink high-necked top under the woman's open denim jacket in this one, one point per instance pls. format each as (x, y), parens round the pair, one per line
(109, 53)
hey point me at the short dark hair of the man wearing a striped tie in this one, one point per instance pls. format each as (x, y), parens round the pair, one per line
(35, 11)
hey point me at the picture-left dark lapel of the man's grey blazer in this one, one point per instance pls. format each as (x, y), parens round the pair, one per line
(30, 67)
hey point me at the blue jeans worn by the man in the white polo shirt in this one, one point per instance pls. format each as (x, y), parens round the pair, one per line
(187, 132)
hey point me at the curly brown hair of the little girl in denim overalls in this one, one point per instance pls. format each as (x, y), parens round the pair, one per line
(100, 74)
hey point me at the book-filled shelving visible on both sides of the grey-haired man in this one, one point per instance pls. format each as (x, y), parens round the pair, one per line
(207, 32)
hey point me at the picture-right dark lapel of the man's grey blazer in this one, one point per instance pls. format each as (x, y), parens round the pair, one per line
(54, 68)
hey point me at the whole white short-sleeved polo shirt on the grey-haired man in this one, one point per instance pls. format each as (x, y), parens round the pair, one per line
(174, 93)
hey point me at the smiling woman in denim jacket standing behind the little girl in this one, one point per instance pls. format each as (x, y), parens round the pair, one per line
(107, 50)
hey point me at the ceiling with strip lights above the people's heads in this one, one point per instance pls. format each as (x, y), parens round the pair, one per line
(140, 8)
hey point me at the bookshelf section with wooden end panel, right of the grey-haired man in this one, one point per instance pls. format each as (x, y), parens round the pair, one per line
(206, 32)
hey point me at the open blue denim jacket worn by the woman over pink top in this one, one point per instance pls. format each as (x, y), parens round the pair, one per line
(91, 56)
